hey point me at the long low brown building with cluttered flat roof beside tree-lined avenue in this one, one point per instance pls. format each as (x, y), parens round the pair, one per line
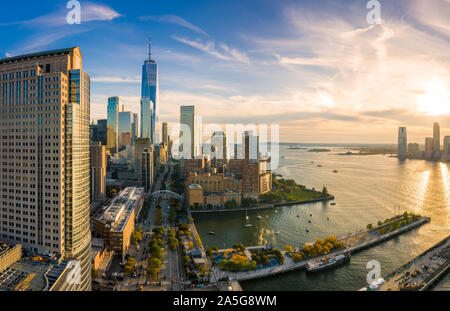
(116, 223)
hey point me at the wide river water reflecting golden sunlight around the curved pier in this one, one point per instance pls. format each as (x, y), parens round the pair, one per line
(367, 189)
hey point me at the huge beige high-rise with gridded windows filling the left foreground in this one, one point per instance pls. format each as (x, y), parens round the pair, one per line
(49, 97)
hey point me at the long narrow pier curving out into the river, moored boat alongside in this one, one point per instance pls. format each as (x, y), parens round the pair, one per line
(353, 242)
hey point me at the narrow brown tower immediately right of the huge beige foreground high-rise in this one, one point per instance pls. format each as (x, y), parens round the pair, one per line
(98, 171)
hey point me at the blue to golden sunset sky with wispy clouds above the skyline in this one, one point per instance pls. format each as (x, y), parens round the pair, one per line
(316, 68)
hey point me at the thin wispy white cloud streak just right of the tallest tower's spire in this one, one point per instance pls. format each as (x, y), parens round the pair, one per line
(226, 53)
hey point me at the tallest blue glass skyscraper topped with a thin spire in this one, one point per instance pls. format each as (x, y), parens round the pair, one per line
(150, 91)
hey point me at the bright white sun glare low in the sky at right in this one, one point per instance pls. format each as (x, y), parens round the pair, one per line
(436, 98)
